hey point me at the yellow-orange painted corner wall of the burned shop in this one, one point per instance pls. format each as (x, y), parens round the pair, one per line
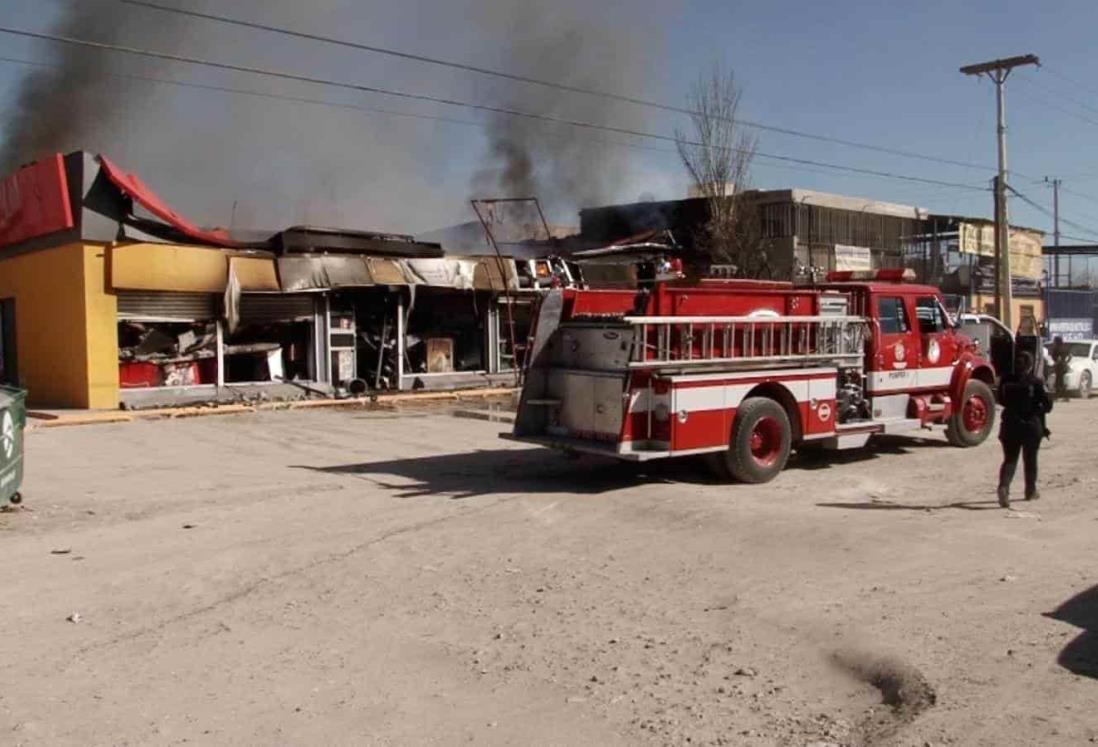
(66, 327)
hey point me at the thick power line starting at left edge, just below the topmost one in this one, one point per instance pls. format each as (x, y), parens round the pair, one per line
(454, 103)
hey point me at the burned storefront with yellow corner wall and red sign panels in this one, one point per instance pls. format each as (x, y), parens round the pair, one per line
(108, 297)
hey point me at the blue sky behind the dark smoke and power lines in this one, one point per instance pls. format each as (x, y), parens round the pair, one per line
(880, 73)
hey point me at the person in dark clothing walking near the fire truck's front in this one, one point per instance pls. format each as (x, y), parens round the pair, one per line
(1025, 406)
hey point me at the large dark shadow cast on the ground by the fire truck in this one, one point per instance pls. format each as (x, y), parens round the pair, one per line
(533, 471)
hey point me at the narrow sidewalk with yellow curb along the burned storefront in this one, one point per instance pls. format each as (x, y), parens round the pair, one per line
(54, 419)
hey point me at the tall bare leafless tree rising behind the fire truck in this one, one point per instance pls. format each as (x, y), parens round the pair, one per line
(718, 155)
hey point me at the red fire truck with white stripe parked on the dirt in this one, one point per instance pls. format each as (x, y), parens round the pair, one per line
(745, 372)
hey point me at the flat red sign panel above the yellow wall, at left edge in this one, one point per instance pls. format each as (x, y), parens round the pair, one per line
(35, 202)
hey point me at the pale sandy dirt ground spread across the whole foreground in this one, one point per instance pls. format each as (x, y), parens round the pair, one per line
(409, 578)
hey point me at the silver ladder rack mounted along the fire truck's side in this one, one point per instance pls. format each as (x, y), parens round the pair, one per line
(699, 342)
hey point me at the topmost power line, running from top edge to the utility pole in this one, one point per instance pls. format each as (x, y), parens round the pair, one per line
(541, 82)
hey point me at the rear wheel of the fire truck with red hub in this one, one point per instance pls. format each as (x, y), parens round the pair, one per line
(760, 442)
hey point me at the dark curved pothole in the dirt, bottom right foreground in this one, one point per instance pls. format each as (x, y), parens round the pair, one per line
(903, 689)
